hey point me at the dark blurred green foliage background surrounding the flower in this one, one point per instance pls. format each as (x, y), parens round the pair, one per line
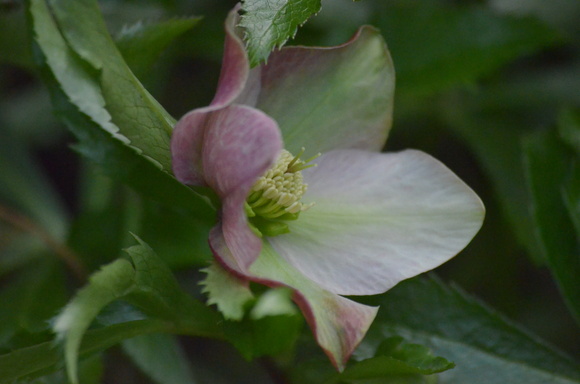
(488, 87)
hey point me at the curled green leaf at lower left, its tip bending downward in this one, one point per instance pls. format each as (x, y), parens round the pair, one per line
(145, 282)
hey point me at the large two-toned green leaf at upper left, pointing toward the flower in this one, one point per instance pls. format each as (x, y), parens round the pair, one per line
(119, 125)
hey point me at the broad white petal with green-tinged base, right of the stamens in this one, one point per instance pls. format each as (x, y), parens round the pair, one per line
(378, 219)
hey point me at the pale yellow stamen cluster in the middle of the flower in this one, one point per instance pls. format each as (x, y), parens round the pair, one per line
(279, 190)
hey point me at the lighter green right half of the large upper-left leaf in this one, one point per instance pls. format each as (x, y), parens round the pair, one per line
(139, 117)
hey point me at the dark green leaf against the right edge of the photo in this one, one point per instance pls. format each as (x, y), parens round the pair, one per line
(549, 167)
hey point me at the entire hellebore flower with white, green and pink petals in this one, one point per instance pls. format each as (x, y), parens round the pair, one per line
(359, 221)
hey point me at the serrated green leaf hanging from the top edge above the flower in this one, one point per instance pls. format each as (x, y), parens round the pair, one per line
(270, 24)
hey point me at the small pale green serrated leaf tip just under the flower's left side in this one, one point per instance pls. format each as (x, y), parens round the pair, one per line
(226, 291)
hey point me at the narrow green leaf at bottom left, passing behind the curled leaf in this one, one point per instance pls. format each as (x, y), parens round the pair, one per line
(40, 359)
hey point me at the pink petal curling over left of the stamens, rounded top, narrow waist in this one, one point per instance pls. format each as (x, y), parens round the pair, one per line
(240, 144)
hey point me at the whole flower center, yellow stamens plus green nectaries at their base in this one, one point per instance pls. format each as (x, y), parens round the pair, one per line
(275, 197)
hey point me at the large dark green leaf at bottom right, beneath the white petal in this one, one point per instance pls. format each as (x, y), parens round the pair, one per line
(485, 347)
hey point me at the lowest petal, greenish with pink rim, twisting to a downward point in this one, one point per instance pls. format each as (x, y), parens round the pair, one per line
(339, 324)
